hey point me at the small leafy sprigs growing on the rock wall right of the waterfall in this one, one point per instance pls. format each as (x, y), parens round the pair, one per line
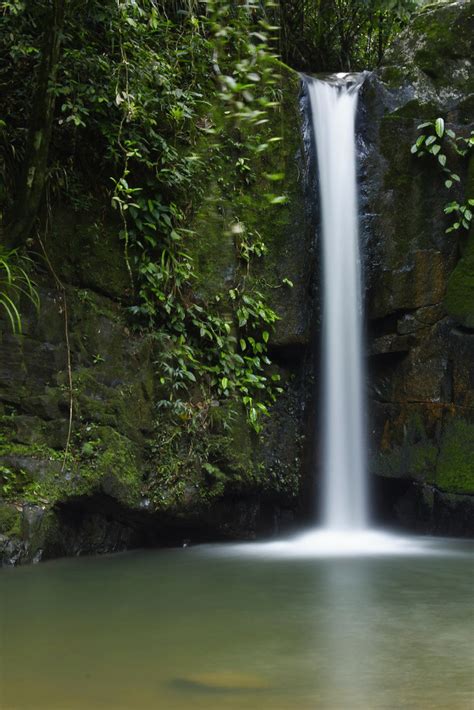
(441, 142)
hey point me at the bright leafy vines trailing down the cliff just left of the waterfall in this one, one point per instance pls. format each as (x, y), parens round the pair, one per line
(201, 348)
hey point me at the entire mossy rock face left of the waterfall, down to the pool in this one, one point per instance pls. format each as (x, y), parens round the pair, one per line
(120, 467)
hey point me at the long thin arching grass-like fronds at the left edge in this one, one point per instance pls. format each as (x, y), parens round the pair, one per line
(15, 283)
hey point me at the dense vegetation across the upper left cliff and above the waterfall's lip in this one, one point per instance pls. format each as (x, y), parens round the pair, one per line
(138, 83)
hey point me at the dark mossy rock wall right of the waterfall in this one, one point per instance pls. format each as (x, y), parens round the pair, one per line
(420, 280)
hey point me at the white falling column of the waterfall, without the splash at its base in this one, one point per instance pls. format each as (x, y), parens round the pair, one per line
(344, 495)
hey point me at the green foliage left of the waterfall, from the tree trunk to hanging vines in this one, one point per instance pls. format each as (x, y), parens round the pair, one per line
(141, 85)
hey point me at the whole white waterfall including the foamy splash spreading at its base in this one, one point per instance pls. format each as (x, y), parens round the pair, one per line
(345, 529)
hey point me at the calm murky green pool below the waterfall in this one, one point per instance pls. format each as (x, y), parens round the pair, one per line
(213, 628)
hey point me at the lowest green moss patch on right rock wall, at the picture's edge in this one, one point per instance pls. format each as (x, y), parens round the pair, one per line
(455, 469)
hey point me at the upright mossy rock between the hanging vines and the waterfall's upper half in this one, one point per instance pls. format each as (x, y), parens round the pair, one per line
(285, 230)
